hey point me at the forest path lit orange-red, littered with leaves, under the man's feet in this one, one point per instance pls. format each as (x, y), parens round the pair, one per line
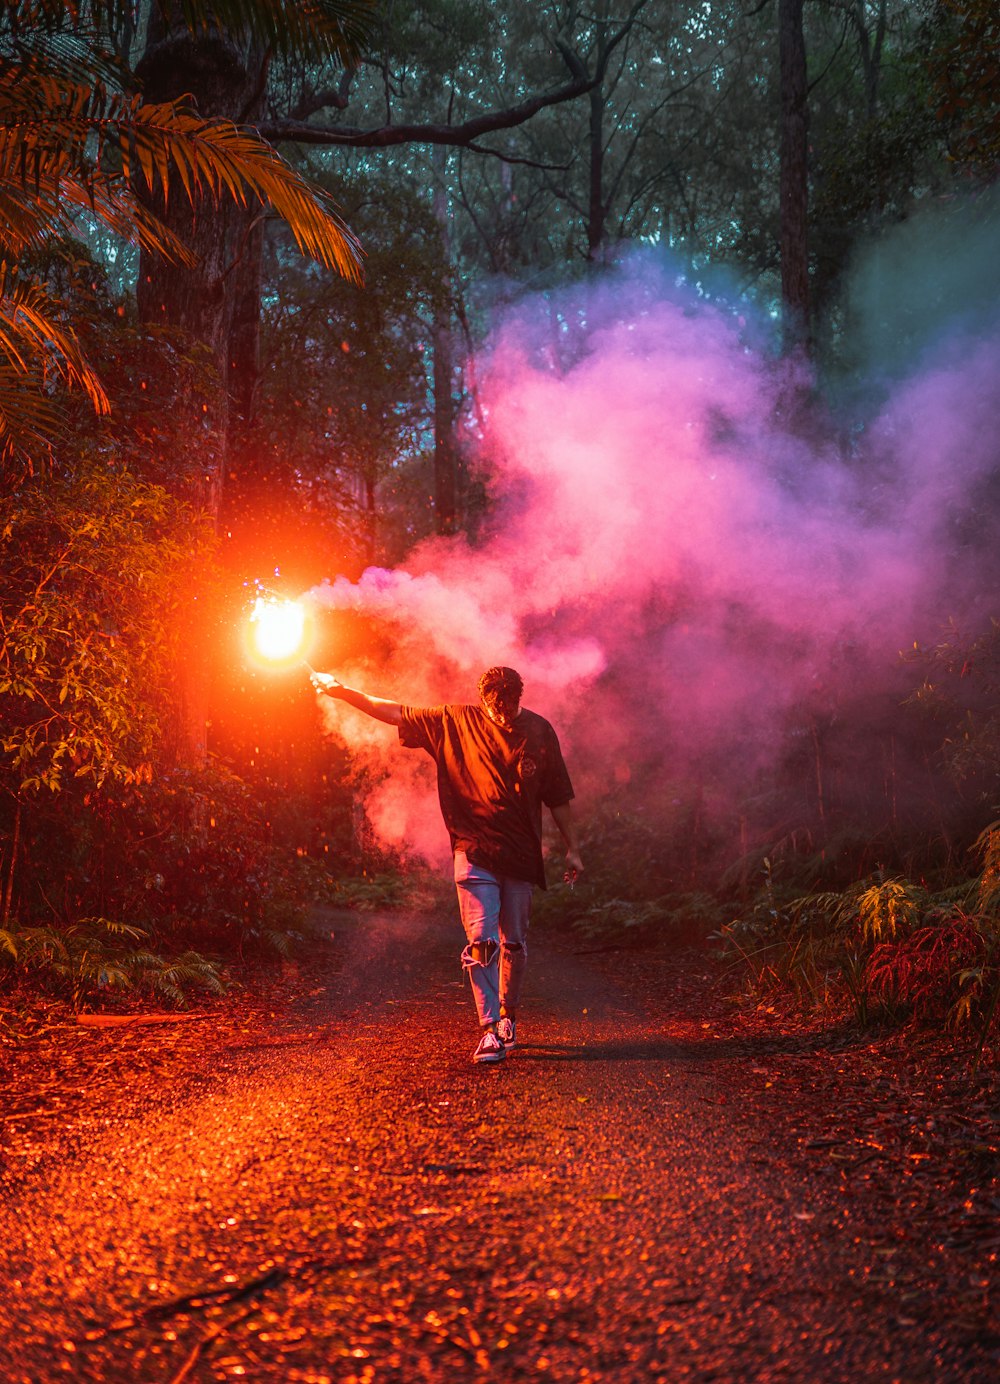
(638, 1192)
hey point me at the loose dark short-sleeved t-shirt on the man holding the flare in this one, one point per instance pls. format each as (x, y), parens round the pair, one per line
(492, 784)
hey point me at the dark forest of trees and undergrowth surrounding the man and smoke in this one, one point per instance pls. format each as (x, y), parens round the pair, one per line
(250, 255)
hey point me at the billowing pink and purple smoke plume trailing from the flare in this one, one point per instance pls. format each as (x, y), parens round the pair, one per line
(701, 572)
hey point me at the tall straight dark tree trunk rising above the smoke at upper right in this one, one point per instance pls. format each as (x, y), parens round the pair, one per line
(795, 186)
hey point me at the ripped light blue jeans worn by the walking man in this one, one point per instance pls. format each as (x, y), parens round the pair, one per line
(496, 913)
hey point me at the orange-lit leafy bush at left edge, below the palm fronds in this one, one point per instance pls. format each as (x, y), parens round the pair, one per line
(95, 568)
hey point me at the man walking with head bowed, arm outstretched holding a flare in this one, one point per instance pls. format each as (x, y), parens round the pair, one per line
(497, 765)
